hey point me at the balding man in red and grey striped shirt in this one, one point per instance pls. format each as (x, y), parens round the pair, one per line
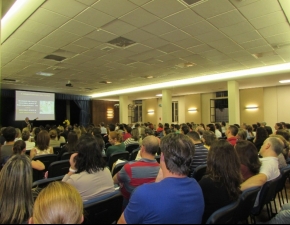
(145, 170)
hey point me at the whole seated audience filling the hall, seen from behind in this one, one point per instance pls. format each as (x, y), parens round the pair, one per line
(237, 157)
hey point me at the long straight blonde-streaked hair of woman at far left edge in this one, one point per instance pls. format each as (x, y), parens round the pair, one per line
(16, 199)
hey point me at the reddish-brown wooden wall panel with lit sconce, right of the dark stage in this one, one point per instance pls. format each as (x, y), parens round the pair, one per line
(99, 112)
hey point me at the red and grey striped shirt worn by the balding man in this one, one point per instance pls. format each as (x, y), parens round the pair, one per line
(133, 174)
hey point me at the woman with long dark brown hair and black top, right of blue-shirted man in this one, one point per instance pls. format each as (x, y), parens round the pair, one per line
(221, 185)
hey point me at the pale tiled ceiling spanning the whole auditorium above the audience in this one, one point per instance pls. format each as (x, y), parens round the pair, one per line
(172, 41)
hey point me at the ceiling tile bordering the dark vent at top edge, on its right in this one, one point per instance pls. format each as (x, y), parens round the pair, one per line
(212, 8)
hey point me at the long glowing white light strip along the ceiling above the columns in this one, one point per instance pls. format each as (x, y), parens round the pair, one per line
(201, 79)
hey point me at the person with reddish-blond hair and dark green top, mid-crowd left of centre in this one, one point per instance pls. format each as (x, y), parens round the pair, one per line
(115, 138)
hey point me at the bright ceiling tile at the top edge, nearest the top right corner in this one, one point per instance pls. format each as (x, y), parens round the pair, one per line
(266, 6)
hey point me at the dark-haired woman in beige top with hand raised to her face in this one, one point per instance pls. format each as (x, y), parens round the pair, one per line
(88, 172)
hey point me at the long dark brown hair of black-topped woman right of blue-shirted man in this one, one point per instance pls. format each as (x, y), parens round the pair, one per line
(223, 165)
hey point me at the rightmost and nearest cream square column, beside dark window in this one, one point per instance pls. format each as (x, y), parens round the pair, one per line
(234, 102)
